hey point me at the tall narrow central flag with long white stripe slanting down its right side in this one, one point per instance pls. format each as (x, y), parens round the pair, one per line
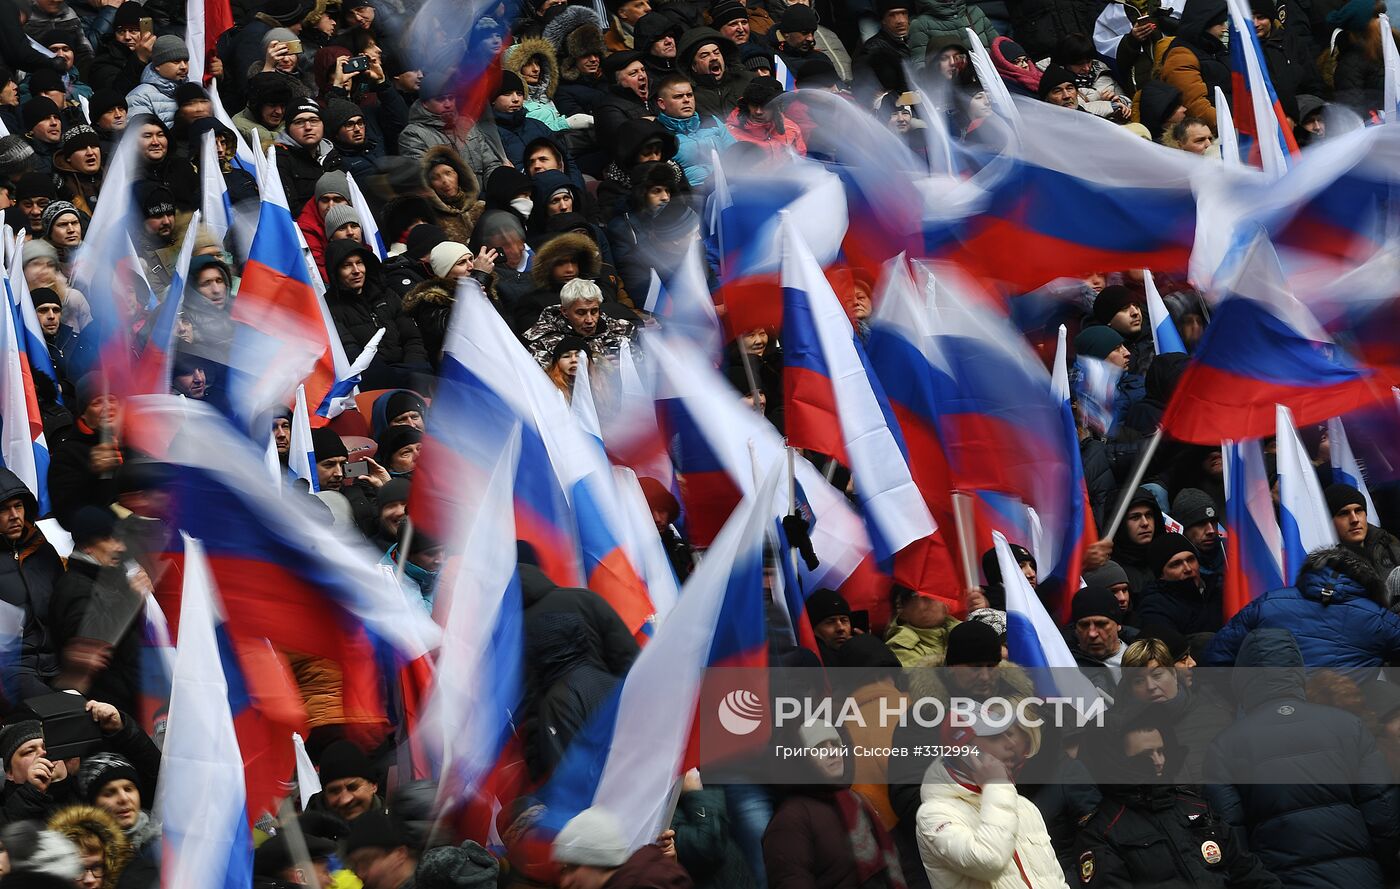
(835, 404)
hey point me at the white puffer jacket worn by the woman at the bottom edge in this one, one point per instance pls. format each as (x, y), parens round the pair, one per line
(978, 841)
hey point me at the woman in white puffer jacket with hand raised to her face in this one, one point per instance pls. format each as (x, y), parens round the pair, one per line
(975, 831)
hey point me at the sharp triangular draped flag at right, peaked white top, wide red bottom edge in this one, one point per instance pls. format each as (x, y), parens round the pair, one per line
(1262, 348)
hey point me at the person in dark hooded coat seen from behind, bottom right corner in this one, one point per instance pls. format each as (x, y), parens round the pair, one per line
(1307, 783)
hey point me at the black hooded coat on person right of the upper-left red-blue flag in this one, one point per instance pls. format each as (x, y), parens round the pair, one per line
(360, 316)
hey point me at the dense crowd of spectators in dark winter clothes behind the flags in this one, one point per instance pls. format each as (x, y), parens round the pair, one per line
(569, 173)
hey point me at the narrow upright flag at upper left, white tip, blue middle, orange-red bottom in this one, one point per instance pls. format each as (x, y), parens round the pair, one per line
(276, 296)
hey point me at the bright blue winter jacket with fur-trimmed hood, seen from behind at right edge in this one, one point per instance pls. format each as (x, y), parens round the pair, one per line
(1331, 617)
